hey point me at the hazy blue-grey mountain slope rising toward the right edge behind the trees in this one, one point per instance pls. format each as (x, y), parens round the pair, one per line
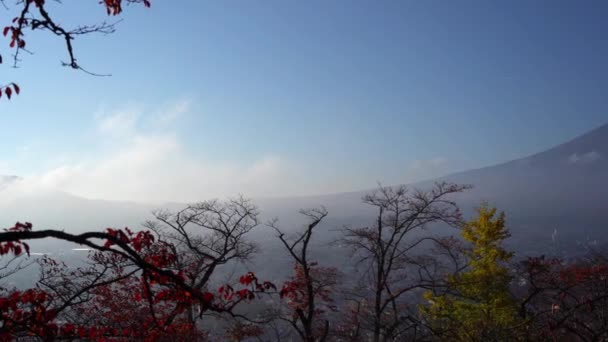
(564, 188)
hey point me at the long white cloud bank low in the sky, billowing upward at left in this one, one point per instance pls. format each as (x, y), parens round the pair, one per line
(138, 155)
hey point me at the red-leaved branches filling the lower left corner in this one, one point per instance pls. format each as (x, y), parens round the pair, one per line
(131, 290)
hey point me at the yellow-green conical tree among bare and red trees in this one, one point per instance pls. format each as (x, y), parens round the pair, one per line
(478, 306)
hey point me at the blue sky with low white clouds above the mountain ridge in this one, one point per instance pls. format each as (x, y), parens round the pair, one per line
(274, 98)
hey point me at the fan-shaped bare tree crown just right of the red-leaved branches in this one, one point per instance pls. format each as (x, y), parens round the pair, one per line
(207, 235)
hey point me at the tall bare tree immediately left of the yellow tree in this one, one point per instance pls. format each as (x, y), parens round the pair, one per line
(389, 253)
